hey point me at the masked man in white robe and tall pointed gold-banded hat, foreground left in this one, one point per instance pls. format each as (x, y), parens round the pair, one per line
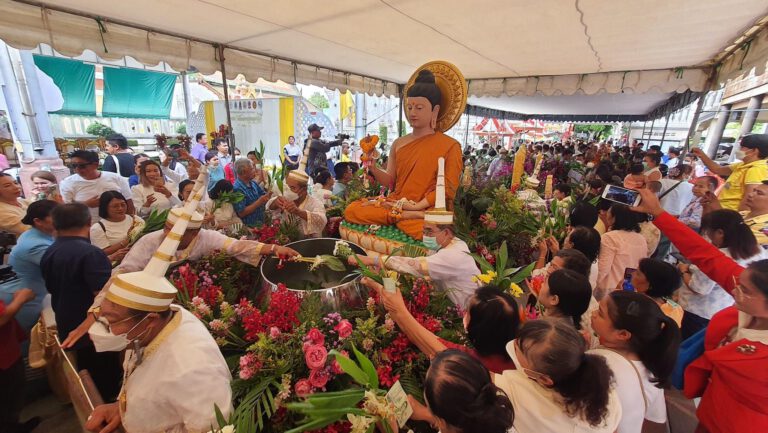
(174, 373)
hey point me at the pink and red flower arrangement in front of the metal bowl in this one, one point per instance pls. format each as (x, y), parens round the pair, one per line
(286, 347)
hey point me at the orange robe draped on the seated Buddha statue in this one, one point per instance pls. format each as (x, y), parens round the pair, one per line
(416, 178)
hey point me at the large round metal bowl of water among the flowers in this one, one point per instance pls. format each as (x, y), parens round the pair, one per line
(336, 288)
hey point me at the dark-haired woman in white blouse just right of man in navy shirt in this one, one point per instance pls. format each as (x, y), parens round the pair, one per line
(112, 232)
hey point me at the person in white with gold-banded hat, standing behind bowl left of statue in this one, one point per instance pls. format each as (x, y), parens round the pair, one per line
(296, 203)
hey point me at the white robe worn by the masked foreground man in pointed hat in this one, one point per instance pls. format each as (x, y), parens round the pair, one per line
(180, 380)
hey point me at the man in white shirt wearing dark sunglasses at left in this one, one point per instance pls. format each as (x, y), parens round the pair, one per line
(88, 183)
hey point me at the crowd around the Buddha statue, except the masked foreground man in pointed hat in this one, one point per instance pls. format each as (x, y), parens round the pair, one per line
(620, 294)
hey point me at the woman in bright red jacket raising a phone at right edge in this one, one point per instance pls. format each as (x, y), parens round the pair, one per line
(731, 377)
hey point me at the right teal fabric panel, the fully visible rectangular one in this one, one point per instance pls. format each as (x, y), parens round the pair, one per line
(137, 93)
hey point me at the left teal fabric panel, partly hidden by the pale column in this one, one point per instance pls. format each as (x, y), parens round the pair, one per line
(75, 79)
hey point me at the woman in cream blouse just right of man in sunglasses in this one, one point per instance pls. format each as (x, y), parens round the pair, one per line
(153, 192)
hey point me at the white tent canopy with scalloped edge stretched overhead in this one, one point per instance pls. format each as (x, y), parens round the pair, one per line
(509, 47)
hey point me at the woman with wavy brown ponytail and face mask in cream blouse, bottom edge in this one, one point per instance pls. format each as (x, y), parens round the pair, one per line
(557, 387)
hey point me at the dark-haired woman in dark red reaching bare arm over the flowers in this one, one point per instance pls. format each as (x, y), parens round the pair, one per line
(492, 320)
